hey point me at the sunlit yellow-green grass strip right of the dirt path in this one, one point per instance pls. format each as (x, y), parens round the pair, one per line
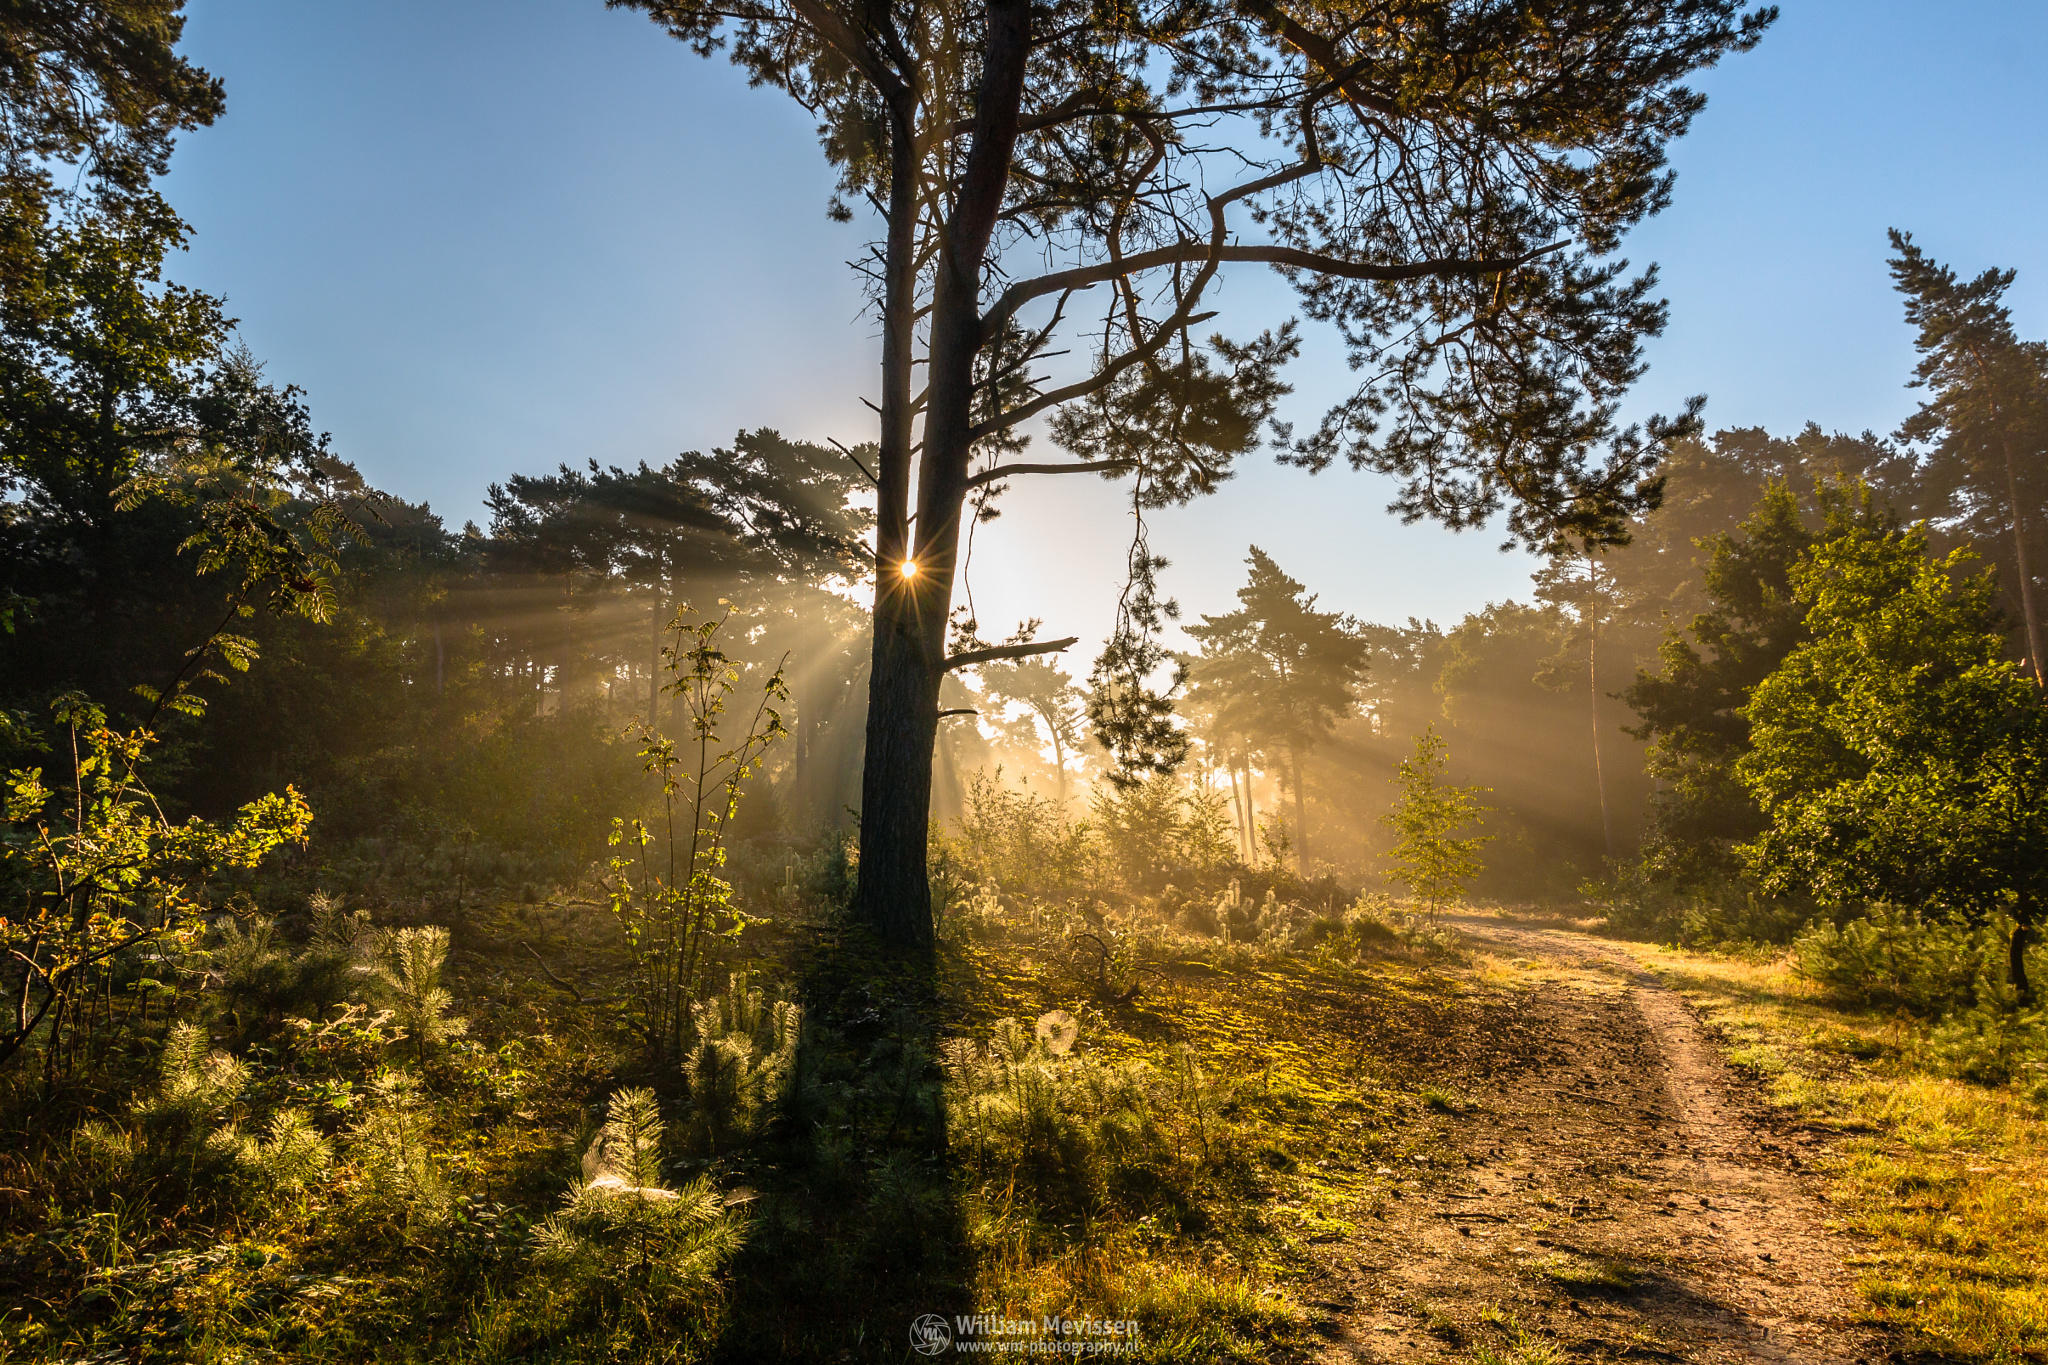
(1940, 1180)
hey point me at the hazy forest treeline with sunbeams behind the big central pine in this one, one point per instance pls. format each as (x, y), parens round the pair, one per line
(472, 687)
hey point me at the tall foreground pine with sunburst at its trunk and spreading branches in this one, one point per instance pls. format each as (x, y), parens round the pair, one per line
(1445, 183)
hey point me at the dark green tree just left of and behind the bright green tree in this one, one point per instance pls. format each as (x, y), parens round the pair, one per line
(1693, 707)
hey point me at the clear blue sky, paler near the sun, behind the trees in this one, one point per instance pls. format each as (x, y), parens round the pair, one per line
(490, 236)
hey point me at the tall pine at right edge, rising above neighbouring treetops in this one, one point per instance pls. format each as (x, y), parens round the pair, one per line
(1988, 419)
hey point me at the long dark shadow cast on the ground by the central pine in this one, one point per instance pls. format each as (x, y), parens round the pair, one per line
(857, 1215)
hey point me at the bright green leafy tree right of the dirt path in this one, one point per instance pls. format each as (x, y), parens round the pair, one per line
(1897, 754)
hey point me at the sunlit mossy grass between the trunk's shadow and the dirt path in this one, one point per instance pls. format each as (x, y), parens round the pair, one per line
(1211, 1276)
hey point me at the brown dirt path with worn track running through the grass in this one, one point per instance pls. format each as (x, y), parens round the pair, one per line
(1598, 1188)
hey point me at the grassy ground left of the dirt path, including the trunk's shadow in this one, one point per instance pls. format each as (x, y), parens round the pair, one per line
(1207, 1139)
